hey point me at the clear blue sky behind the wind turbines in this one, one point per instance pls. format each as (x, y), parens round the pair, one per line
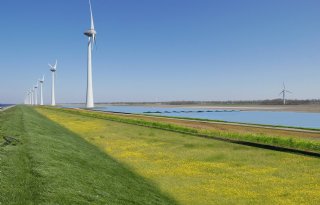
(159, 50)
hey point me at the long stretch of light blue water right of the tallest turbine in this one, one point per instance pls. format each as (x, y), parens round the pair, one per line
(295, 119)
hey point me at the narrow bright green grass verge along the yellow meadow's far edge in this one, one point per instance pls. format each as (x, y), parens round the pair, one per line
(286, 142)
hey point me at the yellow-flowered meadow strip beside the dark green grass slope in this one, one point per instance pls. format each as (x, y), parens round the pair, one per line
(201, 171)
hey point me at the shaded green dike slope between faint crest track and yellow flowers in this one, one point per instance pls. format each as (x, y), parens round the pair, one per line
(66, 169)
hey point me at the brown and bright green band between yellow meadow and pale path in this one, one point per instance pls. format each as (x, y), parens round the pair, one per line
(254, 135)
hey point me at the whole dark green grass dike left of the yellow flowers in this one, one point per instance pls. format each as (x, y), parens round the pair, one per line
(52, 165)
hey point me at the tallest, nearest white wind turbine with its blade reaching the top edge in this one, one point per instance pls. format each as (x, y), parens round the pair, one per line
(91, 33)
